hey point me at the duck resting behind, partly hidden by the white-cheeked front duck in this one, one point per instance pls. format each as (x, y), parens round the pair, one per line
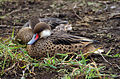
(26, 32)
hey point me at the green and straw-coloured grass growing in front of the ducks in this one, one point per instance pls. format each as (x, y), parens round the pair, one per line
(14, 55)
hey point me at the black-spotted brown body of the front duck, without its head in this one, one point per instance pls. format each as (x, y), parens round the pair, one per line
(59, 42)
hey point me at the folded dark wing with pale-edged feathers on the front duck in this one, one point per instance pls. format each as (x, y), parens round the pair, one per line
(68, 39)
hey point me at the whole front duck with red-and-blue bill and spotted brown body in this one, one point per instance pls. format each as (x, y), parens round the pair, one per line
(43, 43)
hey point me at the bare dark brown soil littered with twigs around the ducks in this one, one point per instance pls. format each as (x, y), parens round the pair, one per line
(96, 19)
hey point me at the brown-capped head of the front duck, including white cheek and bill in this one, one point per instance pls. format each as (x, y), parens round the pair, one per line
(41, 30)
